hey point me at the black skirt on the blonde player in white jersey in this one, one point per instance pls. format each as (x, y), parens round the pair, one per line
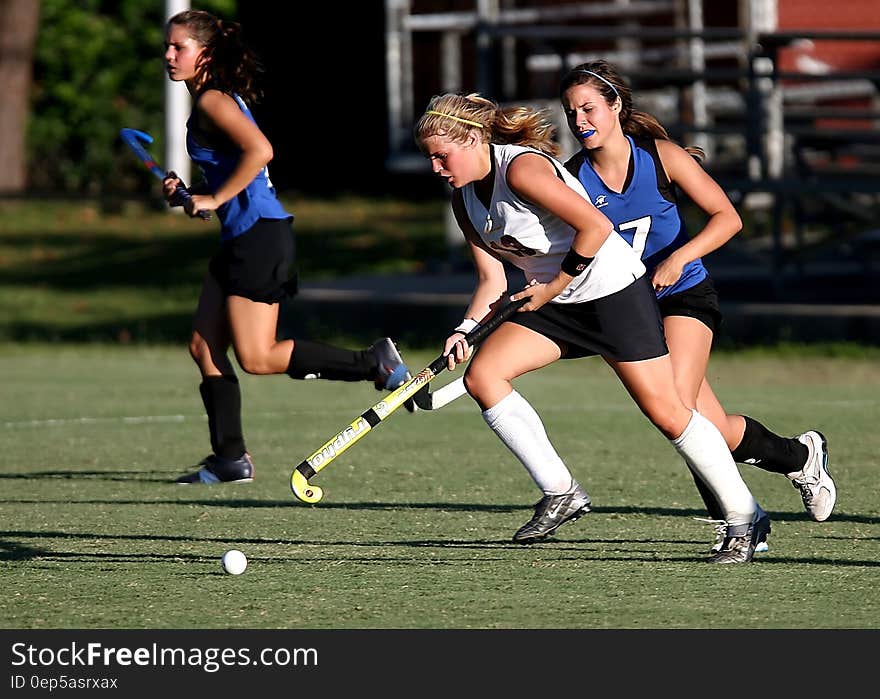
(625, 326)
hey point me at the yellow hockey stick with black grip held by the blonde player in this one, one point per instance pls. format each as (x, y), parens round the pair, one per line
(373, 417)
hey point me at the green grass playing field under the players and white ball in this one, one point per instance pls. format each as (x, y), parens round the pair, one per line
(414, 530)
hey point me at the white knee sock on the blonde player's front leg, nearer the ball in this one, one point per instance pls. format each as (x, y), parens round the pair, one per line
(520, 428)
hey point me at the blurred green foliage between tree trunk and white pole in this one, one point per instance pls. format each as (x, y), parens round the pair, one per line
(97, 66)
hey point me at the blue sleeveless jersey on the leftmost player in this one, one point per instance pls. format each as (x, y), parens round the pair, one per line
(256, 201)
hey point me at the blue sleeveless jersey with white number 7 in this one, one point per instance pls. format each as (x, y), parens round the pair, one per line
(646, 213)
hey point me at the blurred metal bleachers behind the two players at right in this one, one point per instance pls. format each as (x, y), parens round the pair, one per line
(798, 149)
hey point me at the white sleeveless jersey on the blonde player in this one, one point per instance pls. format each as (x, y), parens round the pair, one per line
(535, 240)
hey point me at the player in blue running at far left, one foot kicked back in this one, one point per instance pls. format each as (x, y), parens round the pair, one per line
(252, 271)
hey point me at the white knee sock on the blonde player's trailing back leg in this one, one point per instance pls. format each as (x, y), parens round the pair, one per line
(707, 455)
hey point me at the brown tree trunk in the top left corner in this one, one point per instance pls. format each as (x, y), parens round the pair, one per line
(19, 20)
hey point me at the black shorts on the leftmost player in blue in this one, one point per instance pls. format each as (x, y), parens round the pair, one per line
(258, 264)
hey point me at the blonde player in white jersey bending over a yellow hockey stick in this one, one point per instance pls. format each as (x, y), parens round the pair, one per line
(589, 295)
